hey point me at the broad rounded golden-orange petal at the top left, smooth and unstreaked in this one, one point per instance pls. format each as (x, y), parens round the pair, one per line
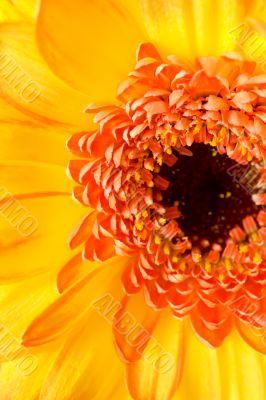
(90, 44)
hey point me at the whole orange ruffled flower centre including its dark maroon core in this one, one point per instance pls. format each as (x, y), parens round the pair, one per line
(176, 176)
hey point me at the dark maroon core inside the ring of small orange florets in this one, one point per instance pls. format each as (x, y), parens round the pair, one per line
(210, 197)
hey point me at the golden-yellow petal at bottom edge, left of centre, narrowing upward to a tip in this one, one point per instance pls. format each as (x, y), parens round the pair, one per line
(79, 368)
